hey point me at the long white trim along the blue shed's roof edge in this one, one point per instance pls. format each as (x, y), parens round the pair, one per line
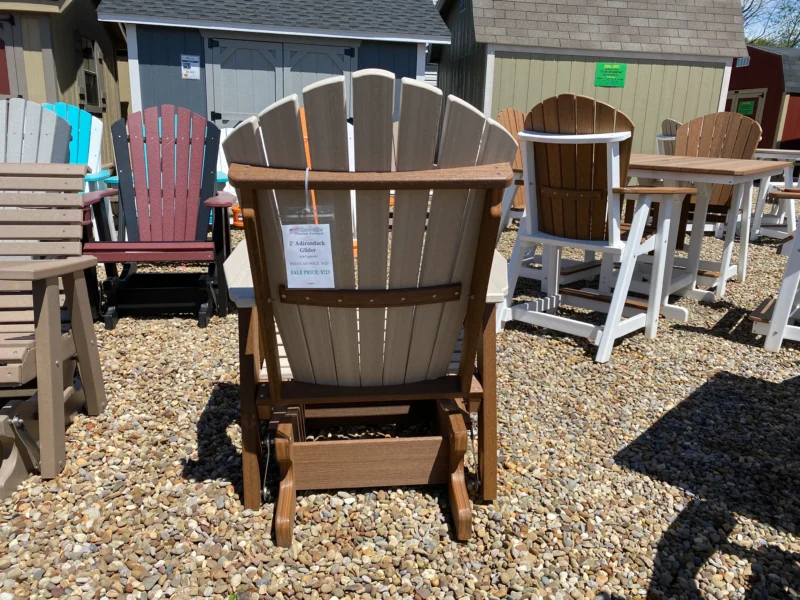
(247, 27)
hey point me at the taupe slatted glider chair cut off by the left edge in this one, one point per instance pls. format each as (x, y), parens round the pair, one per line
(43, 331)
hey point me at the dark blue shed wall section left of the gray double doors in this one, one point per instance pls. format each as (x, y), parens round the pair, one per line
(160, 50)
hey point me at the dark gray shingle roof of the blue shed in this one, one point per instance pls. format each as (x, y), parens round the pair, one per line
(397, 18)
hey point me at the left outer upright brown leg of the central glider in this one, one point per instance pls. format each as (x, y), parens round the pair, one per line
(249, 359)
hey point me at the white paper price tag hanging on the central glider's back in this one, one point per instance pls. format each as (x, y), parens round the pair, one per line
(308, 254)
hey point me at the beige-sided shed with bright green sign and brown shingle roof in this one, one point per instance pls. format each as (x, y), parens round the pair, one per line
(651, 59)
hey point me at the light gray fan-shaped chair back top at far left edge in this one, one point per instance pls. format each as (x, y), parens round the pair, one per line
(31, 134)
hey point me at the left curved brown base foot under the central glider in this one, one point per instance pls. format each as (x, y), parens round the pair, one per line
(287, 494)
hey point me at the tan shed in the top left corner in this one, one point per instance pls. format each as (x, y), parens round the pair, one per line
(57, 51)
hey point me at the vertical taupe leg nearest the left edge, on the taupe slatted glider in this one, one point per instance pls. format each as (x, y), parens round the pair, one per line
(49, 376)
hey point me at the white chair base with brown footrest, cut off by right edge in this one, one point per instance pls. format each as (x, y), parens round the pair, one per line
(778, 319)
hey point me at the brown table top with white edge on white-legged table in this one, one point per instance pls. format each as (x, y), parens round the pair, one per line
(693, 165)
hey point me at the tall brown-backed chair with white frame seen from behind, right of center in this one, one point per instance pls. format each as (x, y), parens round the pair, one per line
(576, 152)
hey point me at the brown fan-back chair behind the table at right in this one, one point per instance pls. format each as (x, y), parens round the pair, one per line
(716, 135)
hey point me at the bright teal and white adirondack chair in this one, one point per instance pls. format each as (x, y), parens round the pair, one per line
(84, 149)
